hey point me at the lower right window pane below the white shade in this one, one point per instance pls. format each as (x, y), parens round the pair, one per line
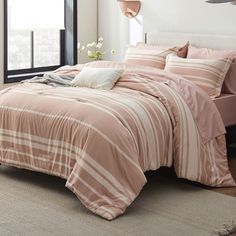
(46, 48)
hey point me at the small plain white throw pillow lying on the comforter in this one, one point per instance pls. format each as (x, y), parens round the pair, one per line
(97, 78)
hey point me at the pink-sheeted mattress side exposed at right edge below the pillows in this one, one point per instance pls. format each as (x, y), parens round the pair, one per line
(226, 105)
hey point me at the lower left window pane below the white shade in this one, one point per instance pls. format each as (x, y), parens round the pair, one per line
(19, 51)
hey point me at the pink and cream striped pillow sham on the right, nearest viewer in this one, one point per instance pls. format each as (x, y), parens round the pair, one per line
(209, 74)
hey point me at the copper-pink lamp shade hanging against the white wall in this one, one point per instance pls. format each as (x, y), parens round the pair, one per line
(130, 8)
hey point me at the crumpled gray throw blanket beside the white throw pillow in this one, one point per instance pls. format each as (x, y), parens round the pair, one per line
(52, 79)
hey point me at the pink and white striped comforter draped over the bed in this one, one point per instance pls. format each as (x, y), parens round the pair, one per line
(102, 142)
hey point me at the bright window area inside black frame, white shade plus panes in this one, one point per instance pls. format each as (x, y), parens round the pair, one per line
(26, 16)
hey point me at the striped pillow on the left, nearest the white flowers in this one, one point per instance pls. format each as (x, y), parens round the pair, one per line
(154, 57)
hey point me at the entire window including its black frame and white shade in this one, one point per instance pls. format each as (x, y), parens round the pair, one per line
(36, 33)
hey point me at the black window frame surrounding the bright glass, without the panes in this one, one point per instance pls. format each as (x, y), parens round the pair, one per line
(68, 46)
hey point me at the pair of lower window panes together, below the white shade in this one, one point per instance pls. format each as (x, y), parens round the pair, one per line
(29, 50)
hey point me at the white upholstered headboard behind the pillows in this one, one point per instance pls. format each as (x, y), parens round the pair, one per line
(199, 40)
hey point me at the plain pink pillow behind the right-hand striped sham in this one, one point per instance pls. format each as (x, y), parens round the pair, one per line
(229, 85)
